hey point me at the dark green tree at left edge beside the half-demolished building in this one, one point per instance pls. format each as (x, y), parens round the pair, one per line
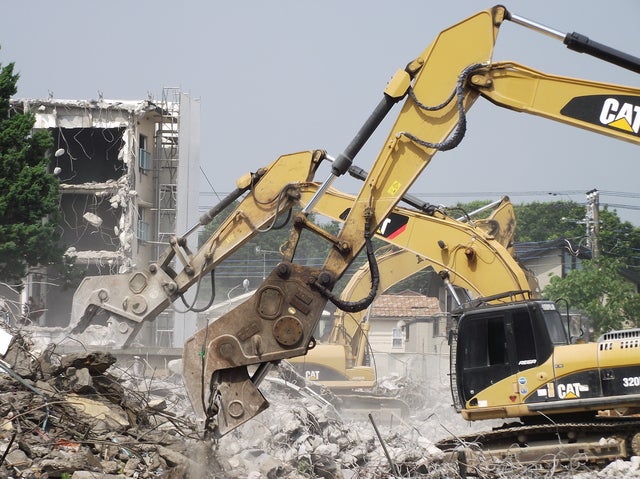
(29, 197)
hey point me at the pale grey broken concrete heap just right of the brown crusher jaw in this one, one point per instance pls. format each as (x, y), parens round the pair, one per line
(300, 437)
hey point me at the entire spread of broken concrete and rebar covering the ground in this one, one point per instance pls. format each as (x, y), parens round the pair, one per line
(85, 415)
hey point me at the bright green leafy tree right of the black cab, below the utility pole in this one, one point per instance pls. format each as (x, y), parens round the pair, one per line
(600, 292)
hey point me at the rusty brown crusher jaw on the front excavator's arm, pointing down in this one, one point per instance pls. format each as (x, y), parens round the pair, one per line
(277, 322)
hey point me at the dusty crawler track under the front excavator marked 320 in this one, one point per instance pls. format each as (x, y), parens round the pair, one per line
(597, 442)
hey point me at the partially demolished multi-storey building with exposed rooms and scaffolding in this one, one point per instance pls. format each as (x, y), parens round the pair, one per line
(128, 175)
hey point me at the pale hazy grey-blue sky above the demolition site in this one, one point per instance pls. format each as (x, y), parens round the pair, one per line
(282, 76)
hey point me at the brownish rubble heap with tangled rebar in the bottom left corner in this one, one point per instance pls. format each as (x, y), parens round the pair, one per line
(70, 417)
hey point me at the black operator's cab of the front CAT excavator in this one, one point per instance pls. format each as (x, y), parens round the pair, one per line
(495, 342)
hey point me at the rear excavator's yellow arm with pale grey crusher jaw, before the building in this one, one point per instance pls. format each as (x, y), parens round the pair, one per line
(138, 296)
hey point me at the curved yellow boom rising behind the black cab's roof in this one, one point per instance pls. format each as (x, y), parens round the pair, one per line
(467, 252)
